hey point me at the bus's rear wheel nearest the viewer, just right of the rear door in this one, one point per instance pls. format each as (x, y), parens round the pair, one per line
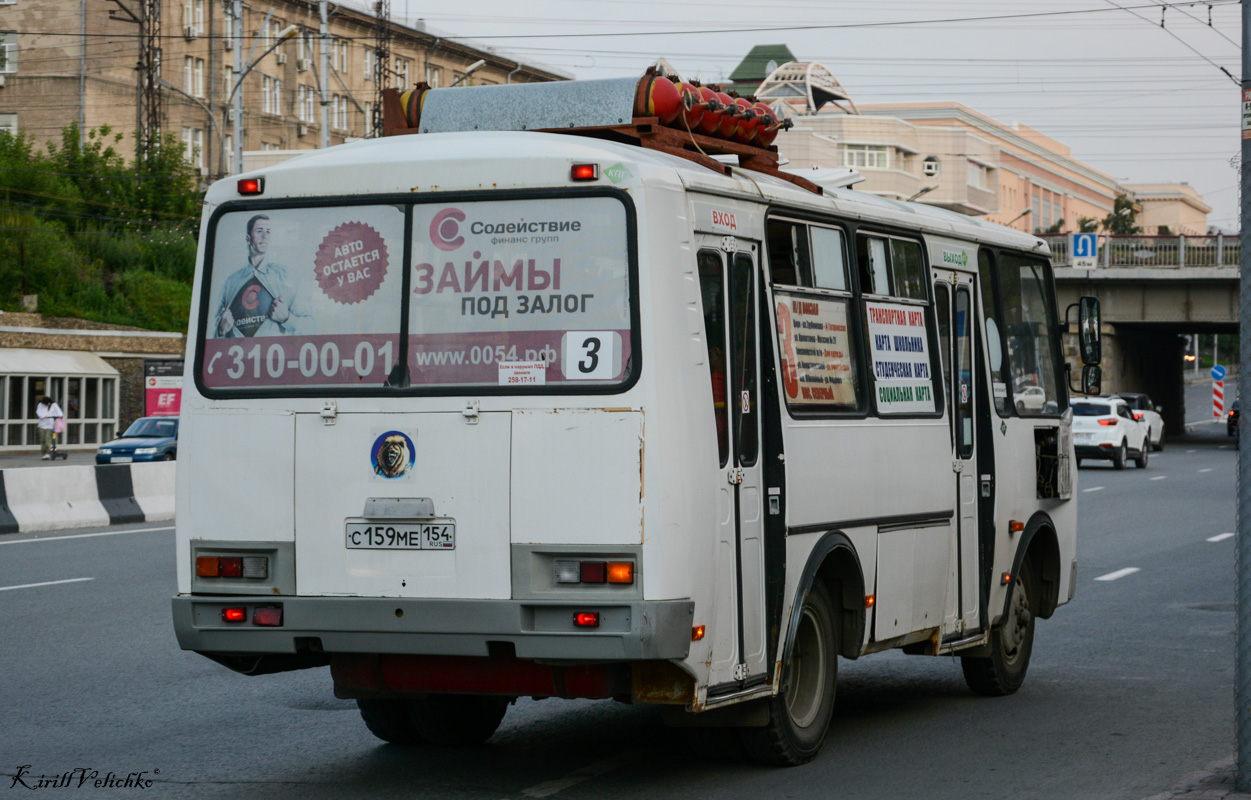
(800, 714)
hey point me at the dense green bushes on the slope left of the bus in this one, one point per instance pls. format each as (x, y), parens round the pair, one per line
(94, 237)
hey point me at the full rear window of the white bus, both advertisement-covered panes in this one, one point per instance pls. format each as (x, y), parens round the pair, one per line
(520, 294)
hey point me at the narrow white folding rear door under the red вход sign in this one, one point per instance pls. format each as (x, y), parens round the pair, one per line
(729, 286)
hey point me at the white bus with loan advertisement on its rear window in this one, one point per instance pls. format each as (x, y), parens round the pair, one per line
(505, 414)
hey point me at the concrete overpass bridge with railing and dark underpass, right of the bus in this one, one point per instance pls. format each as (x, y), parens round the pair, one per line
(1153, 291)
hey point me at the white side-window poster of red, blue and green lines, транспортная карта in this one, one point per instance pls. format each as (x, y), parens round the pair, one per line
(900, 351)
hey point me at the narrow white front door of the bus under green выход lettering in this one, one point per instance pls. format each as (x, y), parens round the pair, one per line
(954, 296)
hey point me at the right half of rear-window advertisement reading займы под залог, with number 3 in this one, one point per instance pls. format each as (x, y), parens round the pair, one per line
(522, 294)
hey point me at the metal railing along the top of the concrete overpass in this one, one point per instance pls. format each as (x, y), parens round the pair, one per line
(1154, 252)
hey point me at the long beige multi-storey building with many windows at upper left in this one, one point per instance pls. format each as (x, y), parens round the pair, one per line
(76, 61)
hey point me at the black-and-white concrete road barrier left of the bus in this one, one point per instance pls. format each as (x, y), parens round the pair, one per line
(46, 499)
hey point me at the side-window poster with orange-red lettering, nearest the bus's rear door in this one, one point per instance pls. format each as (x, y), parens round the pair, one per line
(816, 354)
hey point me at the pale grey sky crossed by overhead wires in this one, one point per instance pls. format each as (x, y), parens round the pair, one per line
(1139, 101)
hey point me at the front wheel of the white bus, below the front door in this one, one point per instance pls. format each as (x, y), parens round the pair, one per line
(1011, 644)
